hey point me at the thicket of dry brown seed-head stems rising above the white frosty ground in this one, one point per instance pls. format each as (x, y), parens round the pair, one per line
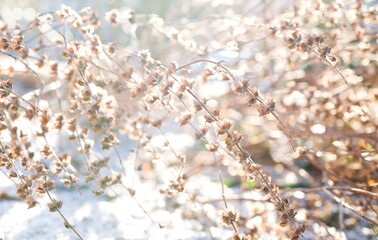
(293, 118)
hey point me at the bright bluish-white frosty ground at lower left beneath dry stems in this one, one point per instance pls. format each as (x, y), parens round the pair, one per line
(95, 218)
